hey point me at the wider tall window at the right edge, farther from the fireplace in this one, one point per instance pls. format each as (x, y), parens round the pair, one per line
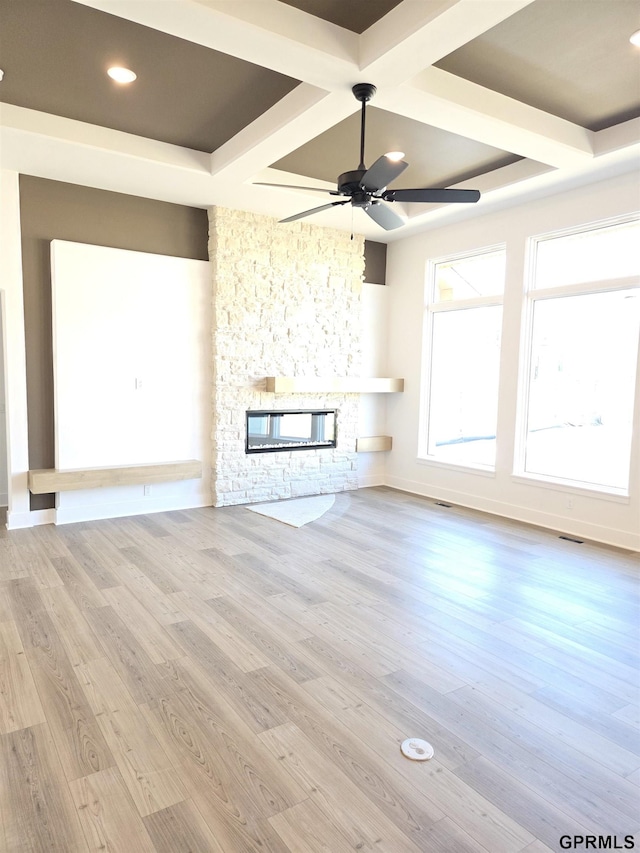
(584, 323)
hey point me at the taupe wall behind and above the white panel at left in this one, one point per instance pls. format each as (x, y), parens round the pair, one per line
(52, 210)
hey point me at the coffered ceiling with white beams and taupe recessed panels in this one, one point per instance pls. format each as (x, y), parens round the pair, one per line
(512, 97)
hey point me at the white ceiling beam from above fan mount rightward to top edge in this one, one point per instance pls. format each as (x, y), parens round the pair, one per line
(414, 35)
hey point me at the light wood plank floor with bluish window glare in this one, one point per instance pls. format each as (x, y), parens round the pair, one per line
(217, 682)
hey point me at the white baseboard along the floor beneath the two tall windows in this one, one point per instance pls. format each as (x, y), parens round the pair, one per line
(563, 524)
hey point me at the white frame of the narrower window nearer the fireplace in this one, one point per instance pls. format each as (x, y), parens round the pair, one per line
(430, 309)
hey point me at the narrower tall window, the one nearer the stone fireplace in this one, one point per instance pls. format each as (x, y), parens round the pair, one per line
(463, 325)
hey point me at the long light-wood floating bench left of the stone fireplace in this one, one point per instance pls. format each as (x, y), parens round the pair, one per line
(46, 480)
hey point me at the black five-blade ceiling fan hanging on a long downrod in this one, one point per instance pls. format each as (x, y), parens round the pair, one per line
(367, 188)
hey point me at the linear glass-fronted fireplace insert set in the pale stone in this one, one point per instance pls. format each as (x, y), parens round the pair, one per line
(290, 429)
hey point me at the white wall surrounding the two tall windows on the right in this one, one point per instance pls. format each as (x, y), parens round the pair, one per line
(605, 518)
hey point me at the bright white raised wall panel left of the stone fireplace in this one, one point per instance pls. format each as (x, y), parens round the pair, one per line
(132, 356)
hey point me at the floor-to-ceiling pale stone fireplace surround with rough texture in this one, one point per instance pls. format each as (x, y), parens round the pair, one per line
(286, 302)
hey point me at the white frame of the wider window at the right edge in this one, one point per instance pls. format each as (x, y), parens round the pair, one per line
(533, 294)
